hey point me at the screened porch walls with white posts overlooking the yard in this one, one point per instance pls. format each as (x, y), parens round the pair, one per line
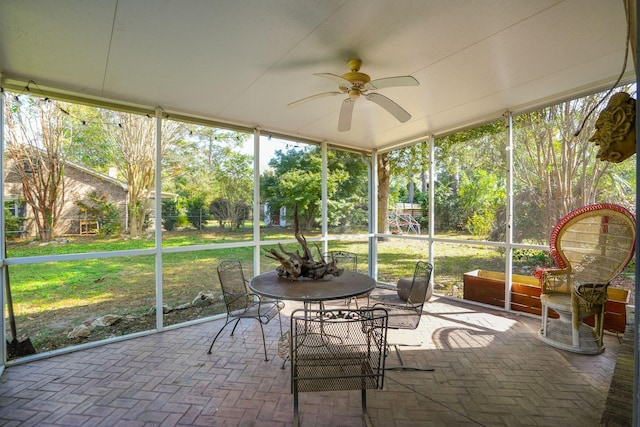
(137, 209)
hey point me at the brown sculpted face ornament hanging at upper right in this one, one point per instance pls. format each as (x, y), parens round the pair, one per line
(616, 129)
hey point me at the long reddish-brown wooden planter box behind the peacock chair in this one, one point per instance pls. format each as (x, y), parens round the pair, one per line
(488, 287)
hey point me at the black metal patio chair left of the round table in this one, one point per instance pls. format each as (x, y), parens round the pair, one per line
(243, 304)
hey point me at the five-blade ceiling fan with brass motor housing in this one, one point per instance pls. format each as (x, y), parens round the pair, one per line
(355, 83)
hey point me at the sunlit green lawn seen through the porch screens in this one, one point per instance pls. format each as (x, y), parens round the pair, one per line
(50, 299)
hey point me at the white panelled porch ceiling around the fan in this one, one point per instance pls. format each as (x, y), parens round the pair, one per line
(243, 61)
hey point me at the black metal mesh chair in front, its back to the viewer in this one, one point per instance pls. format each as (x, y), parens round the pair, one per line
(337, 350)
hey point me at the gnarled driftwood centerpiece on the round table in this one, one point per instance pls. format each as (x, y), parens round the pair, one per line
(295, 266)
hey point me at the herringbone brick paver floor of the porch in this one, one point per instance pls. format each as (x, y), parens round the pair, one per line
(490, 370)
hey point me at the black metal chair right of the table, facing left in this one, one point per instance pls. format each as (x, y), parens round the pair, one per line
(404, 313)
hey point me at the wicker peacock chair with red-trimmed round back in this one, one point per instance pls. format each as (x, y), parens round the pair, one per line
(590, 246)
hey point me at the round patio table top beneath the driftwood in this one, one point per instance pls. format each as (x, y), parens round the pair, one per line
(347, 285)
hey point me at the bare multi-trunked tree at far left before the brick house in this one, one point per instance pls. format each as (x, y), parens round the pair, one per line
(38, 136)
